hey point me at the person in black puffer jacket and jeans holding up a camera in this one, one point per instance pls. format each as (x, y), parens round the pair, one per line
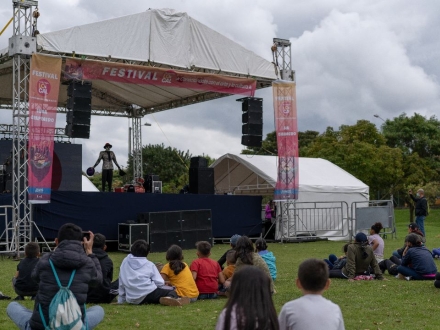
(72, 252)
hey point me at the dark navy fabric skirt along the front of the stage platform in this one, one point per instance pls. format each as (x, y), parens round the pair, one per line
(103, 211)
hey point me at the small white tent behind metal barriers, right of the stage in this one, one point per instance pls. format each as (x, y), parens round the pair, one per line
(326, 193)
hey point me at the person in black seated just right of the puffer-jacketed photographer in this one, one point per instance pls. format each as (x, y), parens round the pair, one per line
(101, 293)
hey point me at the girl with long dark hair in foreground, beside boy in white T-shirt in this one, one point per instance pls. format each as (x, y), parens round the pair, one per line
(250, 304)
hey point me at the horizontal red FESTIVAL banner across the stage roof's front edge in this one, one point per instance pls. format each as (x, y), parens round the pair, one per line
(137, 74)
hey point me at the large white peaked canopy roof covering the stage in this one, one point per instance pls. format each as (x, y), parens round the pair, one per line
(161, 38)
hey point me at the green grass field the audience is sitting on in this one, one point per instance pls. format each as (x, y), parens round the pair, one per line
(393, 304)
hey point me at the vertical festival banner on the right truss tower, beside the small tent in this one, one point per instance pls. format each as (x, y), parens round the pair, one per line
(284, 101)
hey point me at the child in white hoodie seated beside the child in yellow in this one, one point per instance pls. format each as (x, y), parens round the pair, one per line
(140, 281)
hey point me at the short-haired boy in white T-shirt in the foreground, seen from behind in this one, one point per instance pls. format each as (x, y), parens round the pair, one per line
(311, 311)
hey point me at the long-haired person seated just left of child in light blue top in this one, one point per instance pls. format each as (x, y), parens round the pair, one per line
(245, 255)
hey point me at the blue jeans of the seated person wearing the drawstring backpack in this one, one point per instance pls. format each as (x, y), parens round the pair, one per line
(20, 315)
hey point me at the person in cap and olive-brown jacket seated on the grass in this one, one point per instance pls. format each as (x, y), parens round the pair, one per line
(360, 258)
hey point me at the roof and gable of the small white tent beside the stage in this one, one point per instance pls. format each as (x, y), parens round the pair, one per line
(319, 179)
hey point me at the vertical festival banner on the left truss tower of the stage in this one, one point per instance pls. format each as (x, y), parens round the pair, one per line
(44, 83)
